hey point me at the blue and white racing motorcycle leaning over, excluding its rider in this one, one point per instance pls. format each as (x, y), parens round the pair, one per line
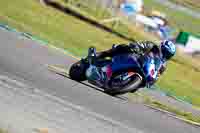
(129, 79)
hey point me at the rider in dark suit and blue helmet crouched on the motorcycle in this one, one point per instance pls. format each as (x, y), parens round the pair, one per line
(161, 55)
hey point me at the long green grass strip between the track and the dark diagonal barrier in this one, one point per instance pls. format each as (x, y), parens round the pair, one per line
(63, 30)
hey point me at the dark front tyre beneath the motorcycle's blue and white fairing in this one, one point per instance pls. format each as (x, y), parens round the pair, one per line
(132, 86)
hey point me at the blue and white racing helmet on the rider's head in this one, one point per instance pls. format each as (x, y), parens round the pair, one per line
(168, 49)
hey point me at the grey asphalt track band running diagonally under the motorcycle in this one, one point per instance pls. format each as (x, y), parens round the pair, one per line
(27, 60)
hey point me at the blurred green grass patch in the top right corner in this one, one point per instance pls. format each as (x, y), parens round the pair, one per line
(179, 20)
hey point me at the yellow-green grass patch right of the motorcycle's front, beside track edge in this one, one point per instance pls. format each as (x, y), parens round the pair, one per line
(182, 81)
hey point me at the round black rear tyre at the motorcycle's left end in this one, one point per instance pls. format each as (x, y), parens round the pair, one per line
(77, 72)
